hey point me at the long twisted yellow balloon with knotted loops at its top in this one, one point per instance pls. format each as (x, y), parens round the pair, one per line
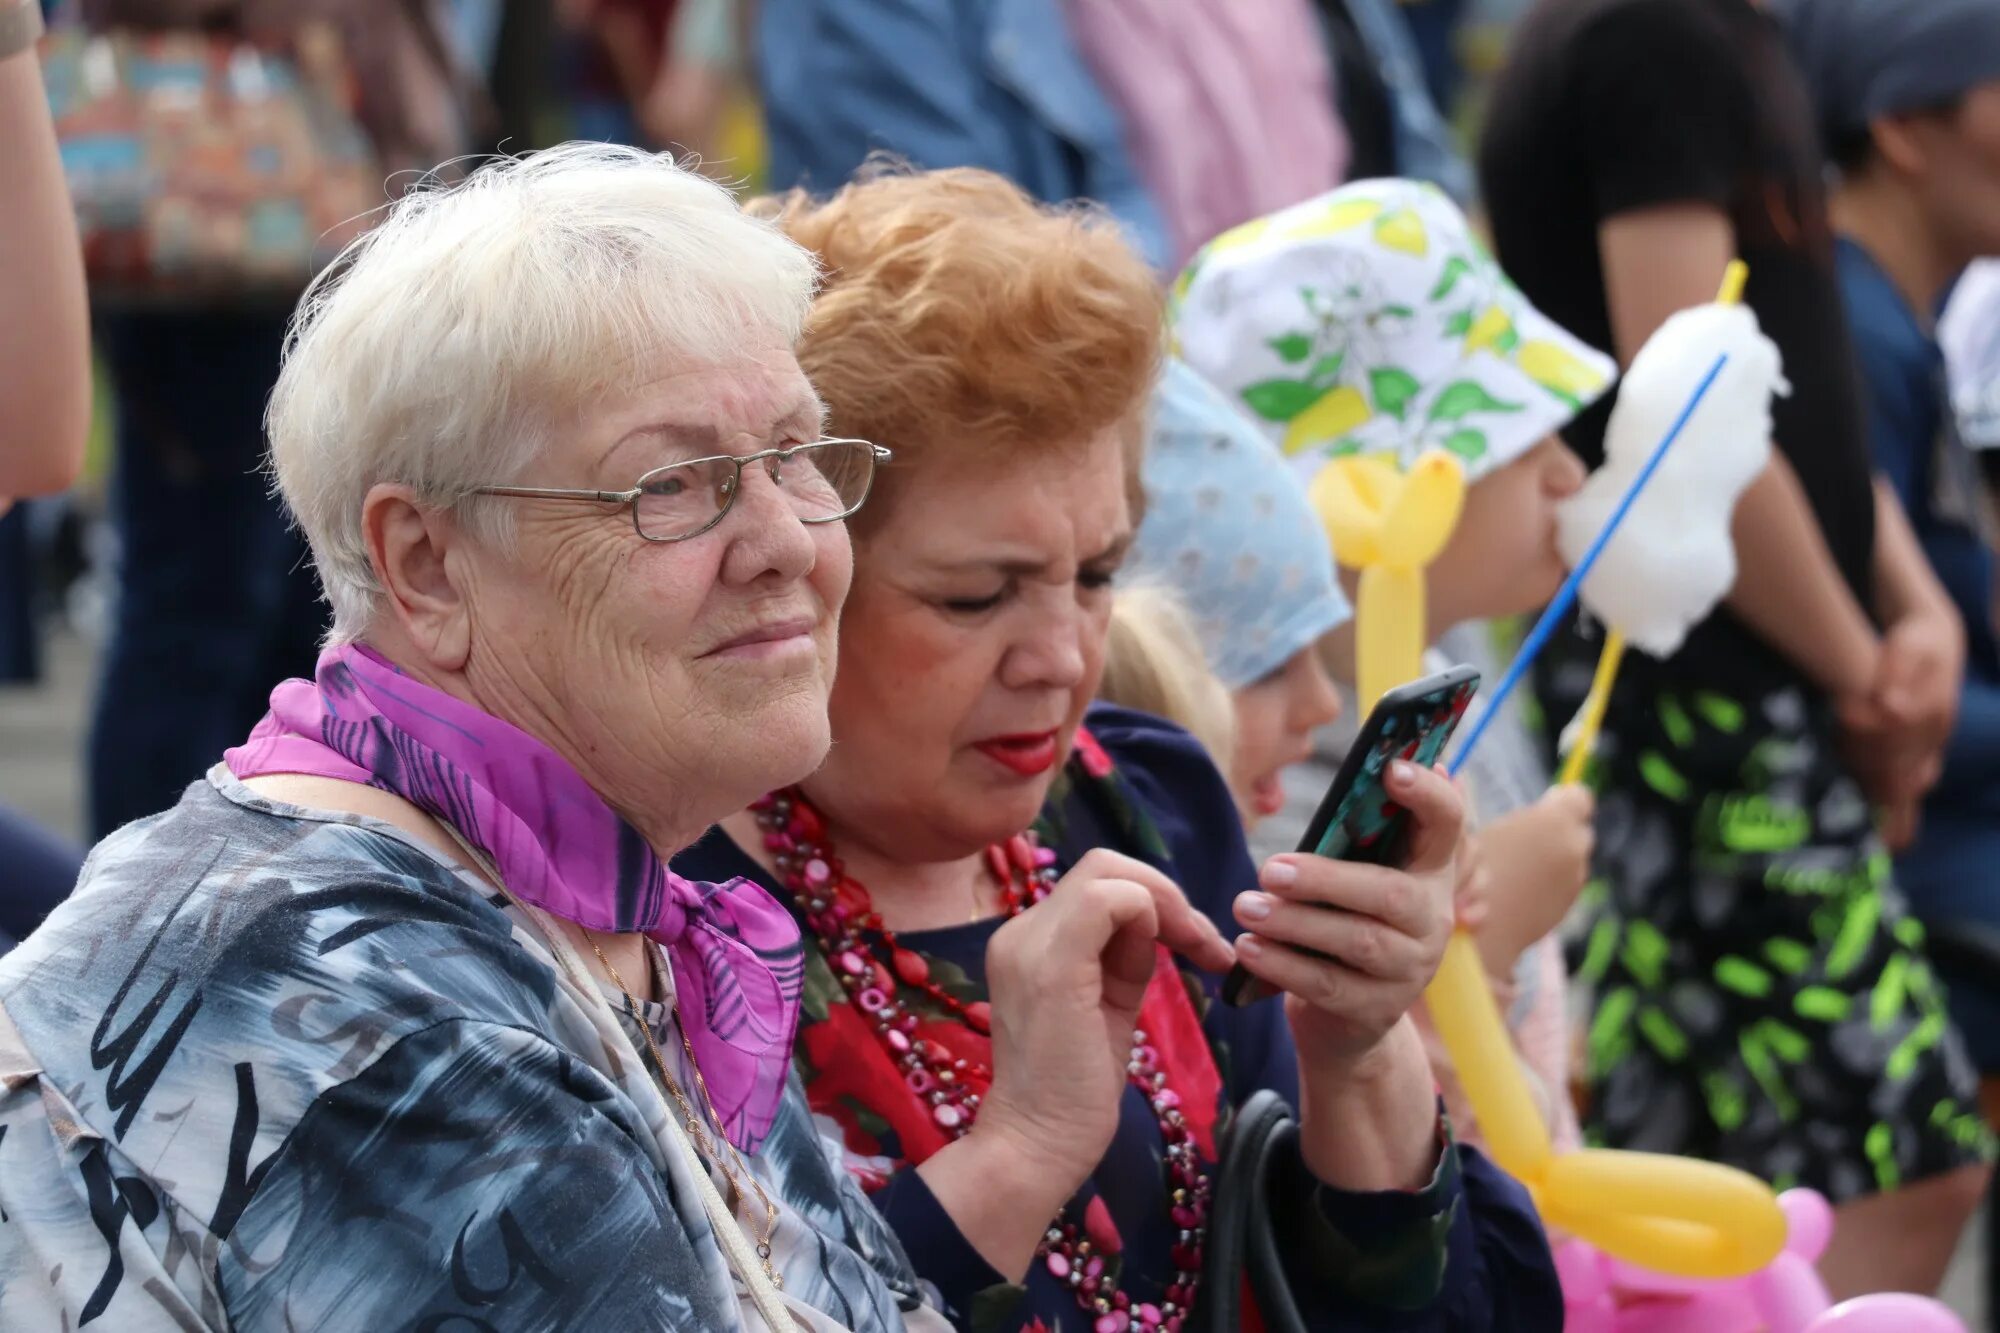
(1665, 1214)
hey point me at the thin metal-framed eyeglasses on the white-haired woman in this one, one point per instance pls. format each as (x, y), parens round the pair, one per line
(825, 483)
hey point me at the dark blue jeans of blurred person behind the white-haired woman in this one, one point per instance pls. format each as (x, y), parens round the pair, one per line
(217, 599)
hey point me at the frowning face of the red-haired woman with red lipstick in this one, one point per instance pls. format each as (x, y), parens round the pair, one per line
(975, 641)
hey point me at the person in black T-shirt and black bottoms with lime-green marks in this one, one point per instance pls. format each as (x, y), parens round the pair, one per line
(1761, 992)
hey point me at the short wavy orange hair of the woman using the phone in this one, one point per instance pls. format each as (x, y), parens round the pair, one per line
(961, 315)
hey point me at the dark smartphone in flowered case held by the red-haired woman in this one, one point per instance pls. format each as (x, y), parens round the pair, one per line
(1357, 820)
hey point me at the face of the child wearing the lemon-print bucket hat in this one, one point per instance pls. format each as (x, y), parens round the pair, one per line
(1503, 557)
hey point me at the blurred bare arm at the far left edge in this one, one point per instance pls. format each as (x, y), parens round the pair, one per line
(45, 343)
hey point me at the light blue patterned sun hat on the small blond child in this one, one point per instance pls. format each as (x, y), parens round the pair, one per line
(1229, 527)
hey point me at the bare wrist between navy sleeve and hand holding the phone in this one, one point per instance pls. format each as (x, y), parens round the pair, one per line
(1375, 1126)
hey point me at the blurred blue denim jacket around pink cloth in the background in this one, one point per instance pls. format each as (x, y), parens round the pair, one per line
(1005, 87)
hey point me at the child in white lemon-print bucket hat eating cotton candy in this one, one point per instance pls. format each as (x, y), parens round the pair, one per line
(1373, 323)
